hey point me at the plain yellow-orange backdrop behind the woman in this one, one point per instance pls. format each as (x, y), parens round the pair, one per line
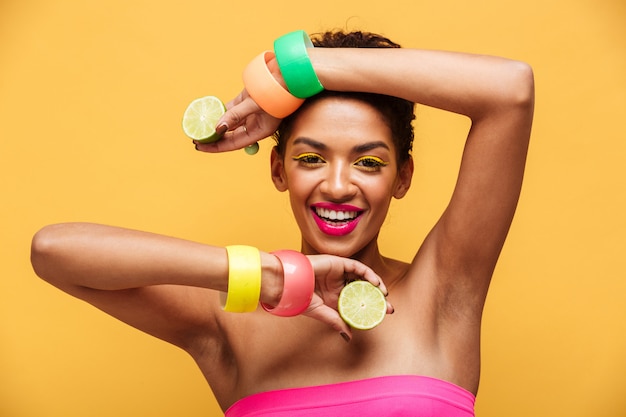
(91, 99)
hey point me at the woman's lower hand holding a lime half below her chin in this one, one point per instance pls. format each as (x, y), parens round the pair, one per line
(331, 275)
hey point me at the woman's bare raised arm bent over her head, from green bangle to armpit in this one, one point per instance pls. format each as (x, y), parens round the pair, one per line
(498, 96)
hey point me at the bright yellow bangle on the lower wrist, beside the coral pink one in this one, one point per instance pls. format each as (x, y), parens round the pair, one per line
(244, 279)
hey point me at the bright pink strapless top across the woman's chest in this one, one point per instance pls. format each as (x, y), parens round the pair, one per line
(399, 396)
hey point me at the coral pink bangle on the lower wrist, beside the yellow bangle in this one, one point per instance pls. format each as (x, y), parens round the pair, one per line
(298, 287)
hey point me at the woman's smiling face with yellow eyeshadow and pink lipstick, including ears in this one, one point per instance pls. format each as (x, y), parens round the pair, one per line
(341, 172)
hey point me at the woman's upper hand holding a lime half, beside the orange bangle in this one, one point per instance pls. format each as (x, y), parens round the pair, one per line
(243, 124)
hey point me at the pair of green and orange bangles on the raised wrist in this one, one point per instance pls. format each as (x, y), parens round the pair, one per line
(291, 59)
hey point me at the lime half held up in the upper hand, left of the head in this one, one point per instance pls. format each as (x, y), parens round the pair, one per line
(201, 117)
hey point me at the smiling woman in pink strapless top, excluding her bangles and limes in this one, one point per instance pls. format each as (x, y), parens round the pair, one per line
(342, 156)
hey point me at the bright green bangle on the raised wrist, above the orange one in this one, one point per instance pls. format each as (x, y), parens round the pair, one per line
(295, 65)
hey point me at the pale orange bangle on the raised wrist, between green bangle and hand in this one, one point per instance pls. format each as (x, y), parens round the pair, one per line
(265, 90)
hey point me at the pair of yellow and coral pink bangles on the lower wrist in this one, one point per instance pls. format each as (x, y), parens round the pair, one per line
(244, 281)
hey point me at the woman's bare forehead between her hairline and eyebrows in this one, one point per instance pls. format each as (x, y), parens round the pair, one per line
(335, 121)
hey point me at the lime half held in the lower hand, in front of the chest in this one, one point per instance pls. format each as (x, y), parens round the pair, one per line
(362, 305)
